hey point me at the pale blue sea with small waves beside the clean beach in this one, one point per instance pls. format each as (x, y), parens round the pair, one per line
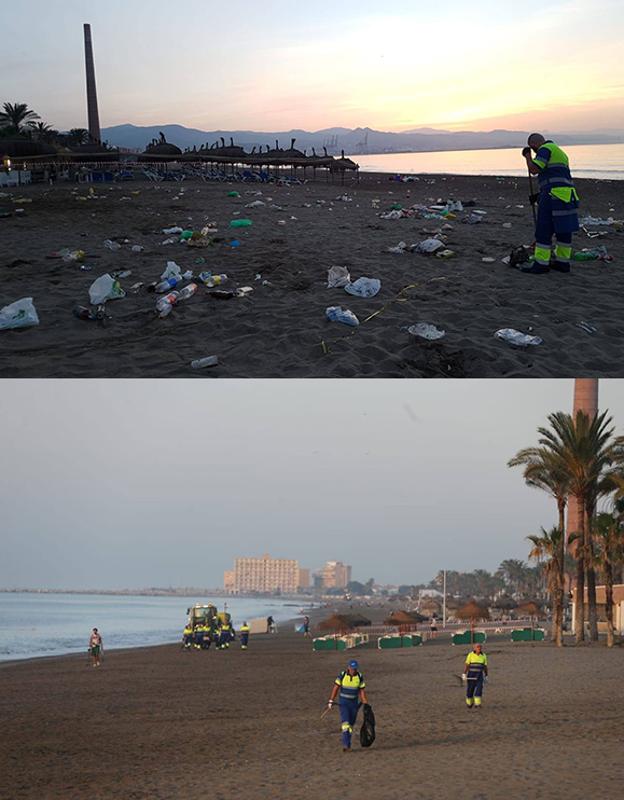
(53, 624)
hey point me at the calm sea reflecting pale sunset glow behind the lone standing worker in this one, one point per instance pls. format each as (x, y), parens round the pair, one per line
(587, 161)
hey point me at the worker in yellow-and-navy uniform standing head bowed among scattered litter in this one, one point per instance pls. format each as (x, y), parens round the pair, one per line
(558, 202)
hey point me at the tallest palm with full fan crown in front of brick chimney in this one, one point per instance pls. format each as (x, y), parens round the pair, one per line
(586, 449)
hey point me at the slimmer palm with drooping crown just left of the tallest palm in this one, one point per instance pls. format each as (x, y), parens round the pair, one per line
(542, 470)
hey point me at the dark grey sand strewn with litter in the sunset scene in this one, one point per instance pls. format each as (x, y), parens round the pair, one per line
(278, 329)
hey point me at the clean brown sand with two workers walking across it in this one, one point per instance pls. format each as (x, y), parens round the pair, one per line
(159, 723)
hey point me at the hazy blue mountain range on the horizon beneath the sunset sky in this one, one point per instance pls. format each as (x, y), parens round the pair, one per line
(353, 141)
